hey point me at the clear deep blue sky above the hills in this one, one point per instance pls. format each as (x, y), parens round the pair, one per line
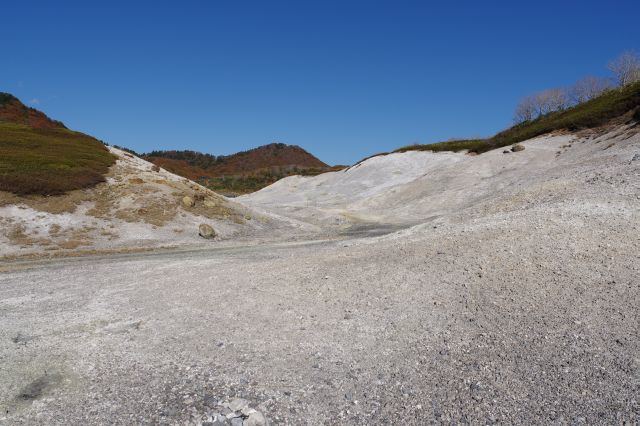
(342, 79)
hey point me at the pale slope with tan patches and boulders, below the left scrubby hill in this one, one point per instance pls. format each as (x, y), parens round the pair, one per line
(138, 207)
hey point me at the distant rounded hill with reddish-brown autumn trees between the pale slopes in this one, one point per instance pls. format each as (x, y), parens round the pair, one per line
(243, 172)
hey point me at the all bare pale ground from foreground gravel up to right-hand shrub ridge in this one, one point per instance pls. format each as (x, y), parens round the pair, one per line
(501, 288)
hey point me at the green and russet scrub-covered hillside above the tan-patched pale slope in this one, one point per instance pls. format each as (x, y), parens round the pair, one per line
(39, 155)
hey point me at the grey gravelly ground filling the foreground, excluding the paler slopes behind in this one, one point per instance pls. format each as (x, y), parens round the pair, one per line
(466, 324)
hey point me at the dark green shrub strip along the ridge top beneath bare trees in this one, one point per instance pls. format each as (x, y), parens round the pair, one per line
(593, 113)
